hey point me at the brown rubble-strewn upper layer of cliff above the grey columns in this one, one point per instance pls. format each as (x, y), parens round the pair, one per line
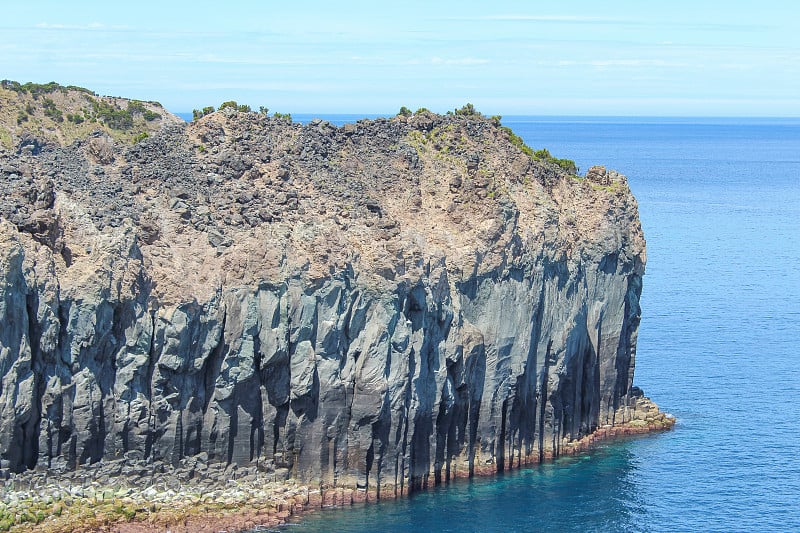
(237, 197)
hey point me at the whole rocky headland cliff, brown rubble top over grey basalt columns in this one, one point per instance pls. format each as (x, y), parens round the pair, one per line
(381, 305)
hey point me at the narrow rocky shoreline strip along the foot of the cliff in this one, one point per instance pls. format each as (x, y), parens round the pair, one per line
(178, 502)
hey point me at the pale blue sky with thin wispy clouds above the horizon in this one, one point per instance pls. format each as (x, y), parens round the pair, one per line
(635, 58)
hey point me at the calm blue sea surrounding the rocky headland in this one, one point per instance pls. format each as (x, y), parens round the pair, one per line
(719, 200)
